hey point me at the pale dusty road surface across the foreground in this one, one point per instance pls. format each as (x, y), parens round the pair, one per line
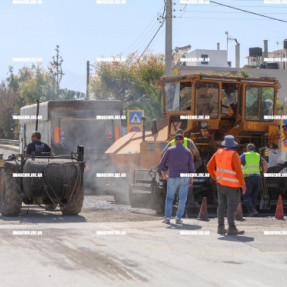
(116, 245)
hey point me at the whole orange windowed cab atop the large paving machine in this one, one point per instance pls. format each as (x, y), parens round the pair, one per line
(208, 107)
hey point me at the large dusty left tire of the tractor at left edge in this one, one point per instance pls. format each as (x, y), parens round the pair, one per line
(10, 199)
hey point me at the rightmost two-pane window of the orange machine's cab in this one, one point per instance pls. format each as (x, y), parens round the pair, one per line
(259, 102)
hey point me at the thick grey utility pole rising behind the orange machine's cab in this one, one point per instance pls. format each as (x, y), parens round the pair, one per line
(168, 37)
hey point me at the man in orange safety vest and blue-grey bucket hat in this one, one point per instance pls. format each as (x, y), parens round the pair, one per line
(225, 168)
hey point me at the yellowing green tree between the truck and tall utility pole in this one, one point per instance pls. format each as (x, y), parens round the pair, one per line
(131, 81)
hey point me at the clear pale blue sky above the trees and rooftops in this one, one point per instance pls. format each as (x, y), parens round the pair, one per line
(86, 30)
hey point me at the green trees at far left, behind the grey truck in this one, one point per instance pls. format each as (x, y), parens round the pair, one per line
(28, 85)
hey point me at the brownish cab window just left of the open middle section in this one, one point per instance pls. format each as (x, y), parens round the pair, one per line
(206, 99)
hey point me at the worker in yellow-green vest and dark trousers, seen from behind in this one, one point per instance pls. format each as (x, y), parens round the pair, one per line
(250, 162)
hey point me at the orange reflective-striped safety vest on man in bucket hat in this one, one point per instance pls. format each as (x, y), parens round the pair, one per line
(225, 174)
